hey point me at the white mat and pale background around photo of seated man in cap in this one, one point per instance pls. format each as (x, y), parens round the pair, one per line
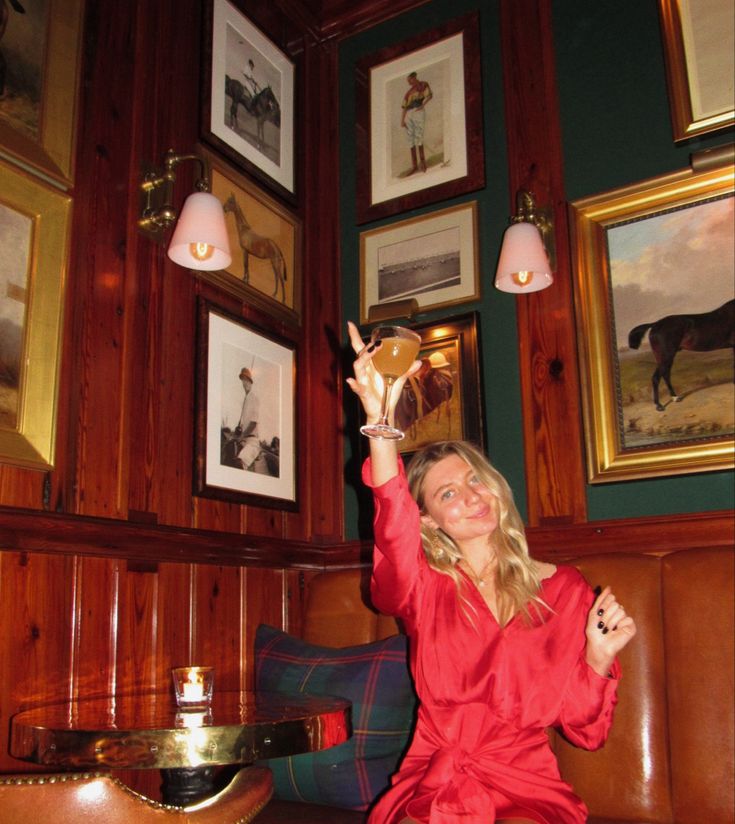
(231, 347)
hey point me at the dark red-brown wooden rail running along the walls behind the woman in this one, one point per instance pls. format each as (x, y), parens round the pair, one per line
(32, 531)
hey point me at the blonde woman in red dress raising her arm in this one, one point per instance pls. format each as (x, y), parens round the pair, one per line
(501, 646)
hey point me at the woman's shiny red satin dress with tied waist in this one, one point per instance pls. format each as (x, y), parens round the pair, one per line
(487, 693)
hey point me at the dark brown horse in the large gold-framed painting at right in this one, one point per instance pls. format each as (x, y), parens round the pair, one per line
(703, 332)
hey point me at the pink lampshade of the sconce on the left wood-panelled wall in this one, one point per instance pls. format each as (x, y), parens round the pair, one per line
(200, 238)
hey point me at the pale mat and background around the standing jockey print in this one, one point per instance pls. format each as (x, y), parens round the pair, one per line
(442, 66)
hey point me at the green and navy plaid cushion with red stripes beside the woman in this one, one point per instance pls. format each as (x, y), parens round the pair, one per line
(375, 678)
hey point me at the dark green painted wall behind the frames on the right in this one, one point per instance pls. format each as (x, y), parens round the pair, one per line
(615, 126)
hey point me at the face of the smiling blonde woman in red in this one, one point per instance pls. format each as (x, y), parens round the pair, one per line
(456, 502)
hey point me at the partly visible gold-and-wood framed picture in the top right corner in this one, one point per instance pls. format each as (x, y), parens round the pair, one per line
(699, 47)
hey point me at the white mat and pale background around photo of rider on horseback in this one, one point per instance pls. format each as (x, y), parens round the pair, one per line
(227, 61)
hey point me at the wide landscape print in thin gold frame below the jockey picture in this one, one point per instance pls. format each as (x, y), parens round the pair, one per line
(433, 258)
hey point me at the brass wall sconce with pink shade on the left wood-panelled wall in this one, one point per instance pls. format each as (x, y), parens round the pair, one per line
(200, 238)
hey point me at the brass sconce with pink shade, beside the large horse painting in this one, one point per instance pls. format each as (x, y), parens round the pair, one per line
(528, 255)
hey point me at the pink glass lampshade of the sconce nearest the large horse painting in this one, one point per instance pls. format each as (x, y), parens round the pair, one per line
(523, 265)
